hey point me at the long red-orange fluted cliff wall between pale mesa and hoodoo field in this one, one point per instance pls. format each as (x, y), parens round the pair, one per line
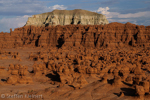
(92, 36)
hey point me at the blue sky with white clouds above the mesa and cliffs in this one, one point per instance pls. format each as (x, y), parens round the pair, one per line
(14, 13)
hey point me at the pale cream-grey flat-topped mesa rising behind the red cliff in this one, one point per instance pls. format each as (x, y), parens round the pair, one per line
(66, 17)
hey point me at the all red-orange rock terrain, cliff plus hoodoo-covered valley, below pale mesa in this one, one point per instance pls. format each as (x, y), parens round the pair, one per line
(79, 62)
